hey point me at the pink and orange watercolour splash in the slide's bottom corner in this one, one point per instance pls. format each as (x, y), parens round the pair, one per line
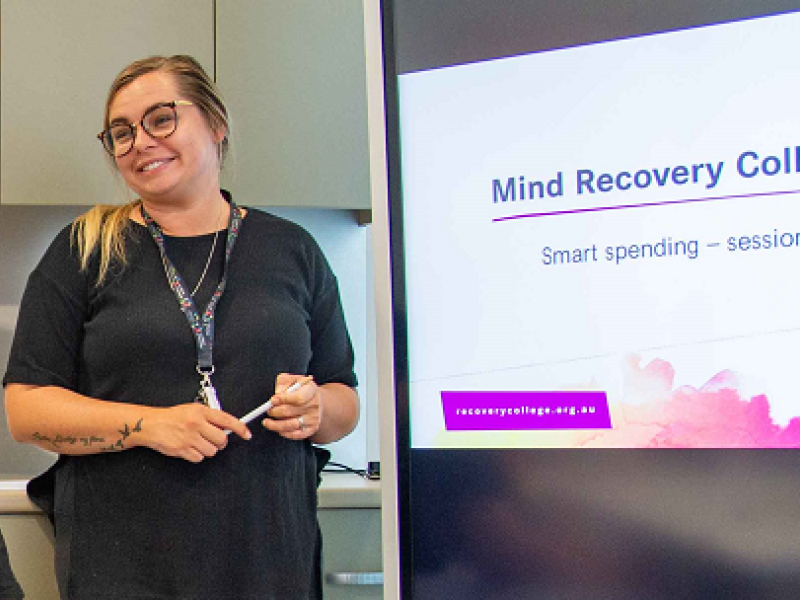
(714, 416)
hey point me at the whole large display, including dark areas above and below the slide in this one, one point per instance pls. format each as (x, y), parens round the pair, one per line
(596, 242)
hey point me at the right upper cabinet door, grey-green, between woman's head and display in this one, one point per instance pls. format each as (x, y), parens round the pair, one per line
(294, 76)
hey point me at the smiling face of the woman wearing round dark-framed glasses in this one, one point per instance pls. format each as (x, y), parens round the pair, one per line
(180, 168)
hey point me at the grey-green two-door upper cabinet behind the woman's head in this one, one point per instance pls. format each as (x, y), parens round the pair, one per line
(293, 73)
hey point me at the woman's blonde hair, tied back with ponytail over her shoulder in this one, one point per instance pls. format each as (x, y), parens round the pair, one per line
(104, 228)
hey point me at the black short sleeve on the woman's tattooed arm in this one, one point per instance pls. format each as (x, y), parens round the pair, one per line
(49, 329)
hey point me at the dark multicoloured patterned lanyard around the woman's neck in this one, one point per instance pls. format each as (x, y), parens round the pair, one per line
(202, 326)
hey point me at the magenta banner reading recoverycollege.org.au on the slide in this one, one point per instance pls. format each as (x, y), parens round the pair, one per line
(502, 411)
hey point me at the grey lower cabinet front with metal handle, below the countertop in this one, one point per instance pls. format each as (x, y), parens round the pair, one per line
(351, 553)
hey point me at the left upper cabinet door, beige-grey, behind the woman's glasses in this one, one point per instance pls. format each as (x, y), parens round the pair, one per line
(57, 62)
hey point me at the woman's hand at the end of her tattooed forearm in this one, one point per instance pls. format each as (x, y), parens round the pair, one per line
(190, 431)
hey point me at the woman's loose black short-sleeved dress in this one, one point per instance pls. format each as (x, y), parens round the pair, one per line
(138, 524)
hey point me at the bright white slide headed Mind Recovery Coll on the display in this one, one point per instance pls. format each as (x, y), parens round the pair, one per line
(602, 243)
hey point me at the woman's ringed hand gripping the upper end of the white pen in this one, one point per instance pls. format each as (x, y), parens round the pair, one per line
(296, 412)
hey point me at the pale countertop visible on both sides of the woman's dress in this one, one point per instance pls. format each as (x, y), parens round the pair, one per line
(338, 490)
